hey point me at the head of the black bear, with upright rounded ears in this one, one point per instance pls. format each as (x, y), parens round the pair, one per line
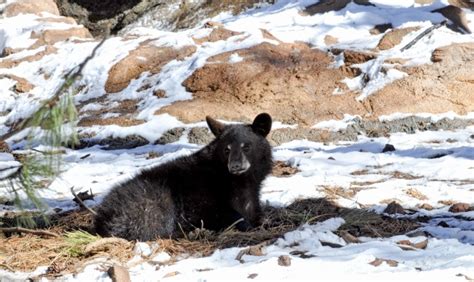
(242, 147)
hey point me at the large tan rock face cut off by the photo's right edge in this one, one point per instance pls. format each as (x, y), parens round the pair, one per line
(444, 86)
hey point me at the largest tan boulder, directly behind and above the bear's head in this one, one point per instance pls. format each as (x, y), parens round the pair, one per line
(292, 82)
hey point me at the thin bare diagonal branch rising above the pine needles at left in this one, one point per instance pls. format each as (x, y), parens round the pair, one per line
(70, 77)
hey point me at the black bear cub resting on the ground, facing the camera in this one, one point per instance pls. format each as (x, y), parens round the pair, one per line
(214, 187)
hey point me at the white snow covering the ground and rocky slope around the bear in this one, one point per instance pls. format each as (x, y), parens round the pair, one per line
(438, 165)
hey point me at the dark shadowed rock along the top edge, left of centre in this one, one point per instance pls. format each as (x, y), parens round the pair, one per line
(100, 16)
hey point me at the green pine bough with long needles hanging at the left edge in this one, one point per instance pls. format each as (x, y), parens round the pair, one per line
(54, 122)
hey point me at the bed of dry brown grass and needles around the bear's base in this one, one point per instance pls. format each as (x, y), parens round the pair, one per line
(27, 252)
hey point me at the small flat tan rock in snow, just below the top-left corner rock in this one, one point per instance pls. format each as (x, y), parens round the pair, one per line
(49, 37)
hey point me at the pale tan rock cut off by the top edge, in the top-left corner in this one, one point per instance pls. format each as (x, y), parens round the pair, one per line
(31, 7)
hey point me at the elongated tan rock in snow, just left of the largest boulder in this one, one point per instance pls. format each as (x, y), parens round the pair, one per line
(146, 57)
